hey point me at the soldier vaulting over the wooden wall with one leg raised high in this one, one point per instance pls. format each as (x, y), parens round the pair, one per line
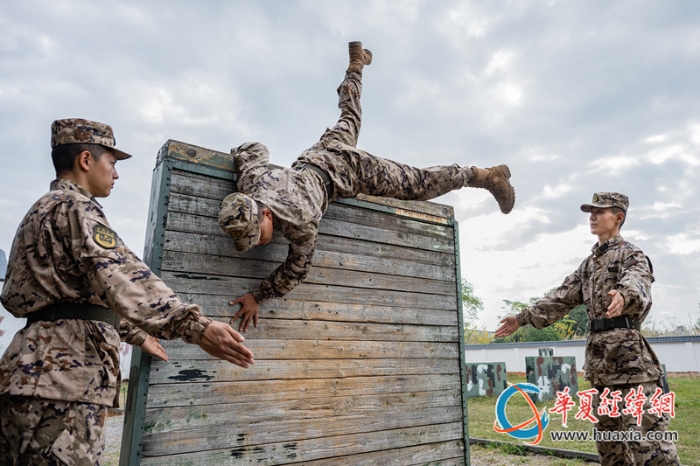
(293, 201)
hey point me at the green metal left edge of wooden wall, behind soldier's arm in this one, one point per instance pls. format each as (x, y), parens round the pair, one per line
(134, 416)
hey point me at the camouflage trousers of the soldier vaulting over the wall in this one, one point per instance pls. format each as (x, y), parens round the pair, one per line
(355, 171)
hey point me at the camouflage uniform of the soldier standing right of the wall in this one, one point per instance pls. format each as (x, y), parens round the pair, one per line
(621, 358)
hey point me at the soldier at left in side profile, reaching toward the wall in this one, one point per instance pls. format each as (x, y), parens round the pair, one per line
(81, 290)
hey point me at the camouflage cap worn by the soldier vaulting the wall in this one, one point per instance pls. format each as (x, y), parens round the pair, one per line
(239, 218)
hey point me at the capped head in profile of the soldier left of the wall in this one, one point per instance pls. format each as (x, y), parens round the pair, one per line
(83, 151)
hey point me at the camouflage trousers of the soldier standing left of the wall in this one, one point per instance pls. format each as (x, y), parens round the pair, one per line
(36, 431)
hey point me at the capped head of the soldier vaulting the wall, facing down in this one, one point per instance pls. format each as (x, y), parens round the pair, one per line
(249, 222)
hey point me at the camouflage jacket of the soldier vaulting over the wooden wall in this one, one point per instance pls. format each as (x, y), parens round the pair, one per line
(297, 200)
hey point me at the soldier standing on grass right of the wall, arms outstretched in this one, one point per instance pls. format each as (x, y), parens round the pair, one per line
(614, 283)
